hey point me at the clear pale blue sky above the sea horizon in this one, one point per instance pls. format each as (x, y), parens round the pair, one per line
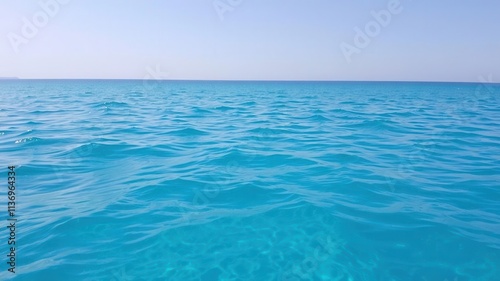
(427, 40)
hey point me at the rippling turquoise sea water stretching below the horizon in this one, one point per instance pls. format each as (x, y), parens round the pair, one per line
(144, 180)
